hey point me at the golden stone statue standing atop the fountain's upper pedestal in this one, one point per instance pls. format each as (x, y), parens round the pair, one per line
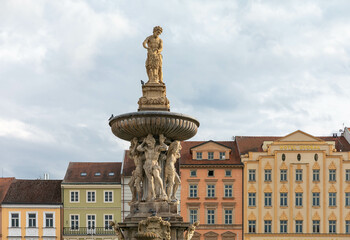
(154, 46)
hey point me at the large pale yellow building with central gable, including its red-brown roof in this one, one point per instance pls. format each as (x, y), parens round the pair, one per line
(296, 187)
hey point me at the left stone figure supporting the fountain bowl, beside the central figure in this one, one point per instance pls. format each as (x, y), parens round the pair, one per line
(137, 174)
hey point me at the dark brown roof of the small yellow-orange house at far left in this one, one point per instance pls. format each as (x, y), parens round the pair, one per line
(34, 192)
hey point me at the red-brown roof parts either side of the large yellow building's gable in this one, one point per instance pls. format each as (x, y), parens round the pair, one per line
(254, 144)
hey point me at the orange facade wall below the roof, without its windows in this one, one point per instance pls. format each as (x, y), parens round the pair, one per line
(219, 203)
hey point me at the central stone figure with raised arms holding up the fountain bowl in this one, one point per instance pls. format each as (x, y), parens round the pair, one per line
(151, 167)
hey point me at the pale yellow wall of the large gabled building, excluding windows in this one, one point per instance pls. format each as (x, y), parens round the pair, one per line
(314, 154)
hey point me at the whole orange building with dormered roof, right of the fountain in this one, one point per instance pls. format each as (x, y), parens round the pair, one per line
(211, 189)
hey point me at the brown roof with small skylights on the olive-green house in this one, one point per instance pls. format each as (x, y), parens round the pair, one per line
(93, 172)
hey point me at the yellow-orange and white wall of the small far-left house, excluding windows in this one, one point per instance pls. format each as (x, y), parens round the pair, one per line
(24, 232)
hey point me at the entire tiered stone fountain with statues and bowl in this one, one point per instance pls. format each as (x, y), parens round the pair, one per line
(154, 134)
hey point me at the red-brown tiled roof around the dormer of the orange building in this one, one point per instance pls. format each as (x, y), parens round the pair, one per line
(186, 156)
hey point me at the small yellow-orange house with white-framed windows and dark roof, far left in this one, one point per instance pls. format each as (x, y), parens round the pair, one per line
(31, 210)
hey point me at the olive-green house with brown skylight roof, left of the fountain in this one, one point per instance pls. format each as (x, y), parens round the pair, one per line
(91, 193)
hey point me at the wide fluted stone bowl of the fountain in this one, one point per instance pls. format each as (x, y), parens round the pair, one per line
(175, 126)
